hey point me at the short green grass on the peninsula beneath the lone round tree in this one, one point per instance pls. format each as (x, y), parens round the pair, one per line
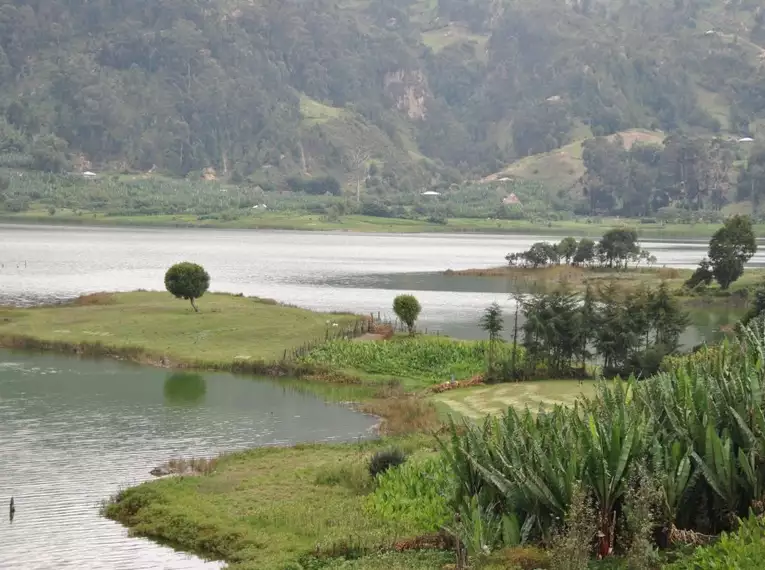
(227, 328)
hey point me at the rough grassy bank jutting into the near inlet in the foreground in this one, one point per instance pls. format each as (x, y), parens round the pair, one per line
(271, 508)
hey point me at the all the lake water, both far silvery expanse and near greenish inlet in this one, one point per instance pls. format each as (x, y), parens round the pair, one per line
(73, 432)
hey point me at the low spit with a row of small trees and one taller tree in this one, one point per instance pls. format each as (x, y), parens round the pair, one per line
(618, 262)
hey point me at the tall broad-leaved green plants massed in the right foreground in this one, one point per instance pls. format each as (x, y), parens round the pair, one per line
(699, 430)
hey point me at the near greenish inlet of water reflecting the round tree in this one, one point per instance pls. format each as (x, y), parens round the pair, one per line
(73, 432)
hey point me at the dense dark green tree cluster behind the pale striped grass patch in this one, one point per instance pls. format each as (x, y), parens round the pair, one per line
(626, 333)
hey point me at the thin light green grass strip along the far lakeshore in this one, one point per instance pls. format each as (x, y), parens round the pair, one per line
(315, 222)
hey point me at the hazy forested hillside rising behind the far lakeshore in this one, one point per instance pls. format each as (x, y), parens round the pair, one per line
(385, 96)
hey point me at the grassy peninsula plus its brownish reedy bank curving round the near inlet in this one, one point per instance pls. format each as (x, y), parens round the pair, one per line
(35, 329)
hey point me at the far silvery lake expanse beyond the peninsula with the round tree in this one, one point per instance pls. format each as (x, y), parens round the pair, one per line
(324, 271)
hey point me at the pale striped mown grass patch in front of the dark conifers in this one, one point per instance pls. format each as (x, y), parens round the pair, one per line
(477, 402)
